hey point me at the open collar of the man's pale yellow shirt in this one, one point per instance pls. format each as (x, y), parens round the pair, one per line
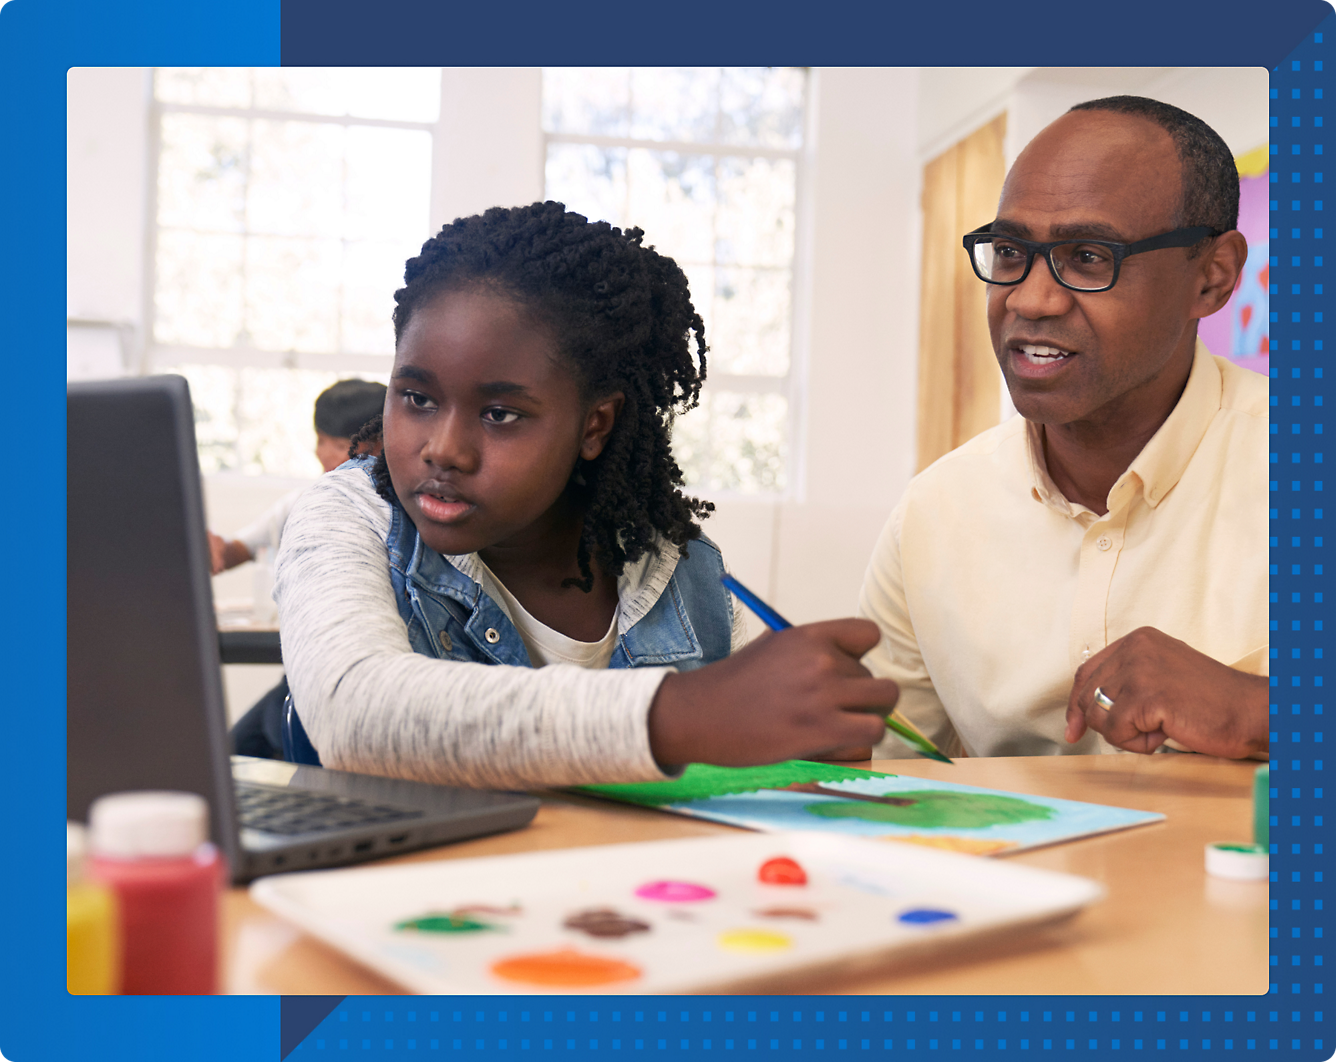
(1156, 471)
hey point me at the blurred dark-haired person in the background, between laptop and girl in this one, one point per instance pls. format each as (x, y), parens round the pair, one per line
(341, 412)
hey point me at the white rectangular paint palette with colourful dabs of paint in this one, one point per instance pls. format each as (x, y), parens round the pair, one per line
(723, 914)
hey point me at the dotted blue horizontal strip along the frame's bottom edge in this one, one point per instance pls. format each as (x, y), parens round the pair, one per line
(793, 1028)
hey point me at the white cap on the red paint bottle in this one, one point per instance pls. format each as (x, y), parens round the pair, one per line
(149, 825)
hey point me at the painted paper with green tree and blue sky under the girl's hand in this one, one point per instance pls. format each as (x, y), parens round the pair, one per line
(802, 795)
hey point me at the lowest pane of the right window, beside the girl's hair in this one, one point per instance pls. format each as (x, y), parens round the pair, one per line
(734, 443)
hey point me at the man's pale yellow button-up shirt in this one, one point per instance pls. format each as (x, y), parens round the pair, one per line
(992, 588)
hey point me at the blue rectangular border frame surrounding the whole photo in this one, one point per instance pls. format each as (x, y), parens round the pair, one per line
(41, 39)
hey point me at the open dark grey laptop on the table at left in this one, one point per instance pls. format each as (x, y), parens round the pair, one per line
(145, 695)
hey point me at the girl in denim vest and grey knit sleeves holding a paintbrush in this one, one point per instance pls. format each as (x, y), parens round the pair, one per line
(518, 594)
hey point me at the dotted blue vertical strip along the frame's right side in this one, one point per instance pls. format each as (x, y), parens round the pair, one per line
(1299, 332)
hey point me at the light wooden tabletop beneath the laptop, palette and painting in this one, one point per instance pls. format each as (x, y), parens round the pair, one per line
(1166, 928)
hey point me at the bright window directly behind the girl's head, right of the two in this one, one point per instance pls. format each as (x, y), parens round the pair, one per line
(707, 162)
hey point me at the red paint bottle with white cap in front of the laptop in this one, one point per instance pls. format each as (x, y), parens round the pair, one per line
(152, 849)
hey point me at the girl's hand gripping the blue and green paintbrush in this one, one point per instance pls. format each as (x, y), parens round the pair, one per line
(789, 695)
